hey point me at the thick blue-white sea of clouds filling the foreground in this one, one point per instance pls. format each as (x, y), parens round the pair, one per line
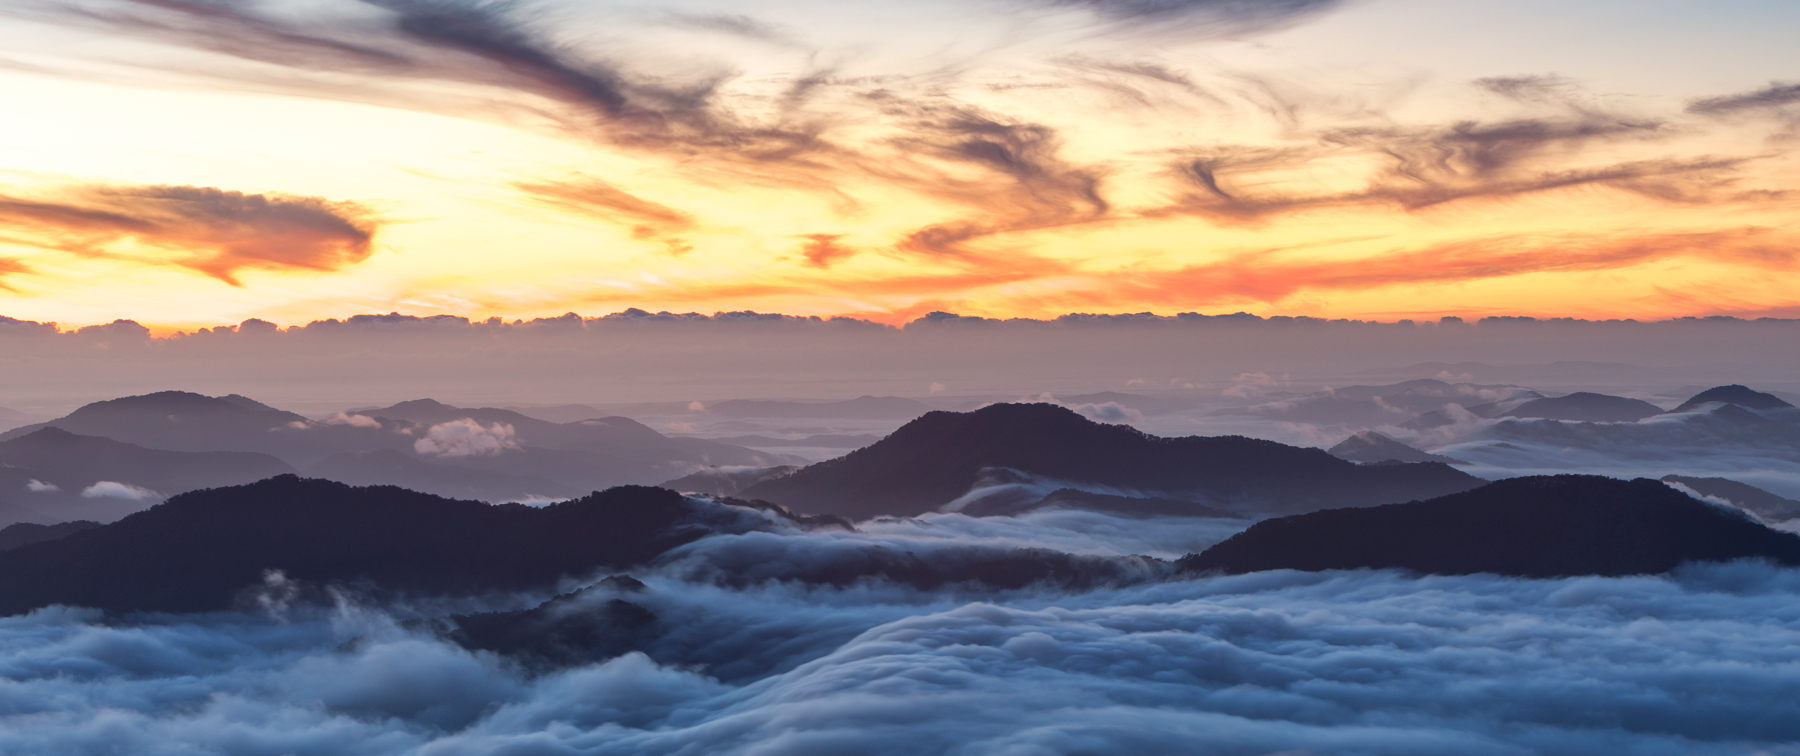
(1704, 661)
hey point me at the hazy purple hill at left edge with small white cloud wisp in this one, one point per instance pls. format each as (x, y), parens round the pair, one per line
(66, 476)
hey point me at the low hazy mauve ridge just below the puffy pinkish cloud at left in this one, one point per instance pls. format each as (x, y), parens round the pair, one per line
(406, 471)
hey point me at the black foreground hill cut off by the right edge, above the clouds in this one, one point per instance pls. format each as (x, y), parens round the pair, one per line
(1527, 526)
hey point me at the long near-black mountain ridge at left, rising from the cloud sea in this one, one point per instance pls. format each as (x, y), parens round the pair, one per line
(210, 550)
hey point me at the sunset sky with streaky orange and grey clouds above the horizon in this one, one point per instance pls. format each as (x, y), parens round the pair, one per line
(199, 163)
